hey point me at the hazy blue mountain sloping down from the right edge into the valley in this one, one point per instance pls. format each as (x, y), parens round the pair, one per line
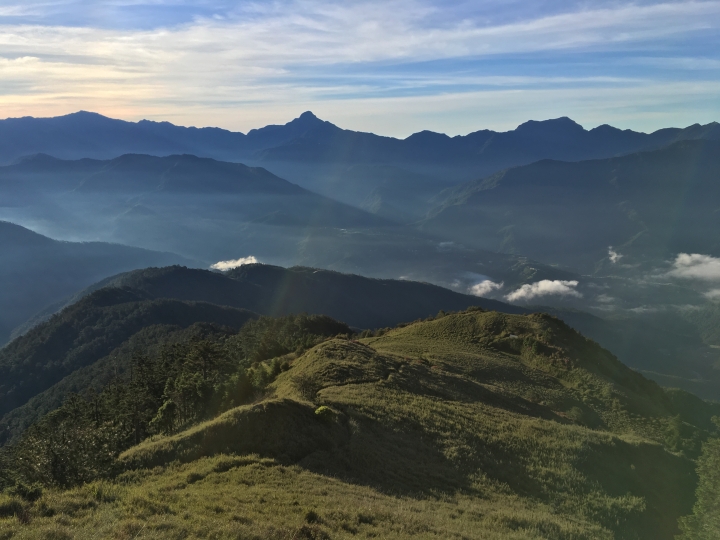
(649, 206)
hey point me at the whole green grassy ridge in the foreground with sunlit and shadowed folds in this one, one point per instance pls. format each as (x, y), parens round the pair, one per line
(474, 425)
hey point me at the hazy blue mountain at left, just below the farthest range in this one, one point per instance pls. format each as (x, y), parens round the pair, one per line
(200, 207)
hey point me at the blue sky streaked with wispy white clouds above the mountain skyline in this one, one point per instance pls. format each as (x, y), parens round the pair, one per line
(393, 67)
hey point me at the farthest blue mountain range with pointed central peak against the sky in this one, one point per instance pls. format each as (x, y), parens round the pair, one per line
(363, 169)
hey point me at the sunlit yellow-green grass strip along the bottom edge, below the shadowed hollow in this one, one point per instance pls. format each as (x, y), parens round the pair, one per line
(253, 497)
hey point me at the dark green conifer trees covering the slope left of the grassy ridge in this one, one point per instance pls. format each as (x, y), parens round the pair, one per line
(183, 383)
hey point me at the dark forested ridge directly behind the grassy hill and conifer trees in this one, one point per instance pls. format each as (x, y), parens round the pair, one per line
(54, 358)
